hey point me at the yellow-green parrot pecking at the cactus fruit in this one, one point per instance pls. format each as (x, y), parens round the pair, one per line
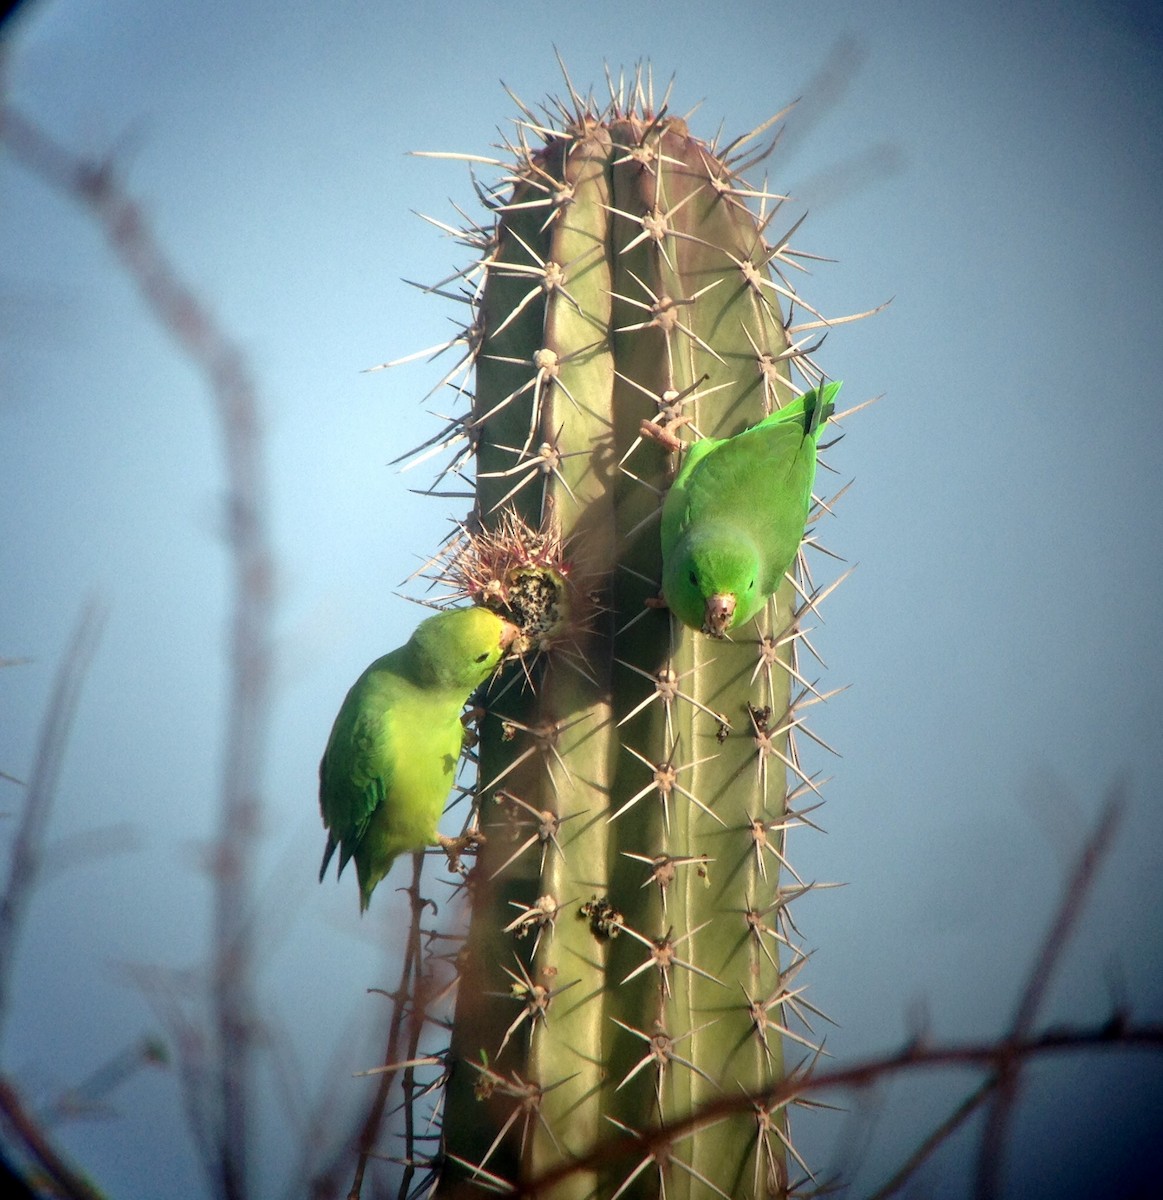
(393, 753)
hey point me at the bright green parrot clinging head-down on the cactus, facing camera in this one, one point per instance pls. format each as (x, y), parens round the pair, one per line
(735, 515)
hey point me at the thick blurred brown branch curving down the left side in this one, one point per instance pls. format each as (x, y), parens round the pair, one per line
(194, 327)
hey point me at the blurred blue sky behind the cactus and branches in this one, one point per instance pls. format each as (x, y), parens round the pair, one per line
(994, 167)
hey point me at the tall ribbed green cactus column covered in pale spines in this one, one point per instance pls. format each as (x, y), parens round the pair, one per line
(625, 968)
